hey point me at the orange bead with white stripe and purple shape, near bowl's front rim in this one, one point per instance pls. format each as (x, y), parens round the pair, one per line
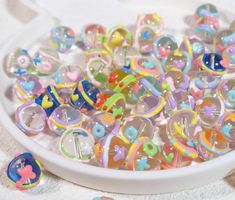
(111, 152)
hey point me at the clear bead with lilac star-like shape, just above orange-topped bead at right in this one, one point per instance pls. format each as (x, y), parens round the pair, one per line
(209, 110)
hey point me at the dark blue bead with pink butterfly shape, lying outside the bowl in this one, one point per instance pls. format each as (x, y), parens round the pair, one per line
(24, 171)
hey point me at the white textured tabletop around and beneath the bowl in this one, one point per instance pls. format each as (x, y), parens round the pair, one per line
(52, 187)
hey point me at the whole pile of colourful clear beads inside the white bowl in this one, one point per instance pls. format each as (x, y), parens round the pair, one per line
(142, 101)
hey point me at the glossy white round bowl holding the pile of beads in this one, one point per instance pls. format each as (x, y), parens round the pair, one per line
(132, 182)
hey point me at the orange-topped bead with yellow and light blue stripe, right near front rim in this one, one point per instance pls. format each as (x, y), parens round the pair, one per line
(211, 143)
